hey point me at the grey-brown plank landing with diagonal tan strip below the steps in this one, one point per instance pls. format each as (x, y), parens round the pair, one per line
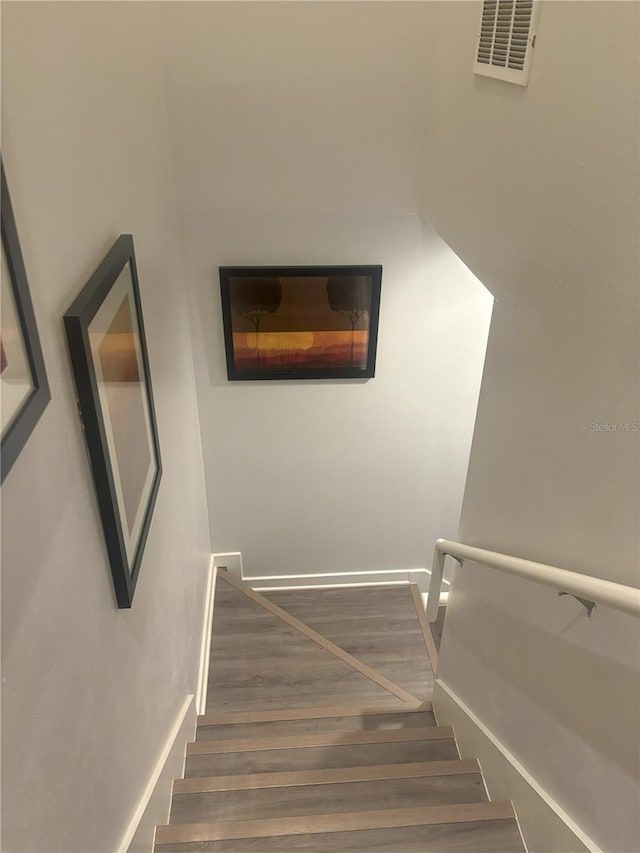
(259, 661)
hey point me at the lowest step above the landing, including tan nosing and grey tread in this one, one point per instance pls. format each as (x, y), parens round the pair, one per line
(252, 724)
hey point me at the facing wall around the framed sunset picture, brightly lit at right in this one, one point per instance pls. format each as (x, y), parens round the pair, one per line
(296, 130)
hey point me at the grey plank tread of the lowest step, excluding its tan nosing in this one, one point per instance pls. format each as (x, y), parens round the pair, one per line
(373, 722)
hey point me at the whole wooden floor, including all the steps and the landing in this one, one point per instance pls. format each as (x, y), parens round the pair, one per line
(319, 735)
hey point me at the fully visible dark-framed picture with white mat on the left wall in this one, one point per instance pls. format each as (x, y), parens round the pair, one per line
(111, 367)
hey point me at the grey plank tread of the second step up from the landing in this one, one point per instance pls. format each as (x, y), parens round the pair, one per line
(273, 760)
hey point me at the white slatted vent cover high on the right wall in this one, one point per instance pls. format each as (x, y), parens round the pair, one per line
(506, 39)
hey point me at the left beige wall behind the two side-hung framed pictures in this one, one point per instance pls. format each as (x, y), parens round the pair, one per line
(91, 692)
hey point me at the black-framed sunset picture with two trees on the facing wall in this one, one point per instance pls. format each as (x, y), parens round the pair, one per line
(300, 322)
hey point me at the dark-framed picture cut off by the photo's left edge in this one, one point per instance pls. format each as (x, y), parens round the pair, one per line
(23, 378)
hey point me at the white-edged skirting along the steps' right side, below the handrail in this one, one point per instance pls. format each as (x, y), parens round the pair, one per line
(545, 826)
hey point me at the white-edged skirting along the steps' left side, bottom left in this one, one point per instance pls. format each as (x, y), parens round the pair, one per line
(155, 803)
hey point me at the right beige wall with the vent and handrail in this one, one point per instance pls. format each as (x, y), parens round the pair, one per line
(537, 190)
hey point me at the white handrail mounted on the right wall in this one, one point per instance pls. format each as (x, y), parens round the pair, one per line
(598, 590)
